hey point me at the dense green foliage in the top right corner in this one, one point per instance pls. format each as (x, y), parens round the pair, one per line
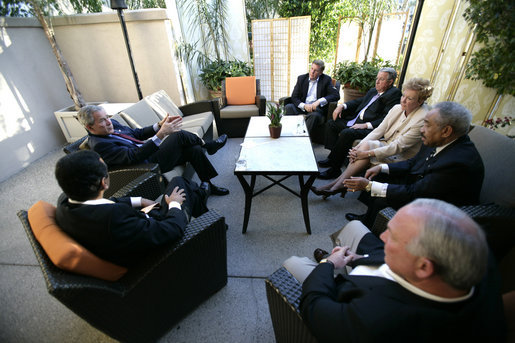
(493, 63)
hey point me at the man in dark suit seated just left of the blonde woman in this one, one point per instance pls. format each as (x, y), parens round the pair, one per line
(356, 119)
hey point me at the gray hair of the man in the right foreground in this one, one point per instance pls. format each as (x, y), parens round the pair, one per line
(453, 241)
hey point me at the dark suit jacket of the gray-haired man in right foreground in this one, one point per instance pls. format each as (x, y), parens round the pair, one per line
(356, 308)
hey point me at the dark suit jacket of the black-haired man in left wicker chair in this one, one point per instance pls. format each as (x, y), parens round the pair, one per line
(117, 232)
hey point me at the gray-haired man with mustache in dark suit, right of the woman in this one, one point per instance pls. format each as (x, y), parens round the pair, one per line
(447, 167)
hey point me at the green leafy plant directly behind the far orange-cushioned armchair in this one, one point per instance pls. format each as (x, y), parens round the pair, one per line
(216, 71)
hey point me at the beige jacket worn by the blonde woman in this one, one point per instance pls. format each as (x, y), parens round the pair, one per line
(400, 133)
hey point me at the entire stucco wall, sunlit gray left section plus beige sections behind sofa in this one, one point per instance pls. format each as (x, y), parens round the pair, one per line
(32, 87)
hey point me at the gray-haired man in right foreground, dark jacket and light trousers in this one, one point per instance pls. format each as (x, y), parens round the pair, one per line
(430, 279)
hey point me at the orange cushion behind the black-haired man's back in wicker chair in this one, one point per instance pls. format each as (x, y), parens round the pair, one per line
(64, 251)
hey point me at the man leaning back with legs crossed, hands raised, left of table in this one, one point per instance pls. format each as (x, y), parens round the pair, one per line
(120, 145)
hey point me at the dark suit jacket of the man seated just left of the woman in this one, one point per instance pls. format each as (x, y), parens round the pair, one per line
(376, 112)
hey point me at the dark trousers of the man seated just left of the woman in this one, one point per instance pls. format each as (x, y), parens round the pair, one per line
(339, 139)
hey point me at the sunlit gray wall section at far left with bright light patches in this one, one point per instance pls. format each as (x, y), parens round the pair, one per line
(31, 88)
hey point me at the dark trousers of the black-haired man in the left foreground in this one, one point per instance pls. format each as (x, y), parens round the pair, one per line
(195, 202)
